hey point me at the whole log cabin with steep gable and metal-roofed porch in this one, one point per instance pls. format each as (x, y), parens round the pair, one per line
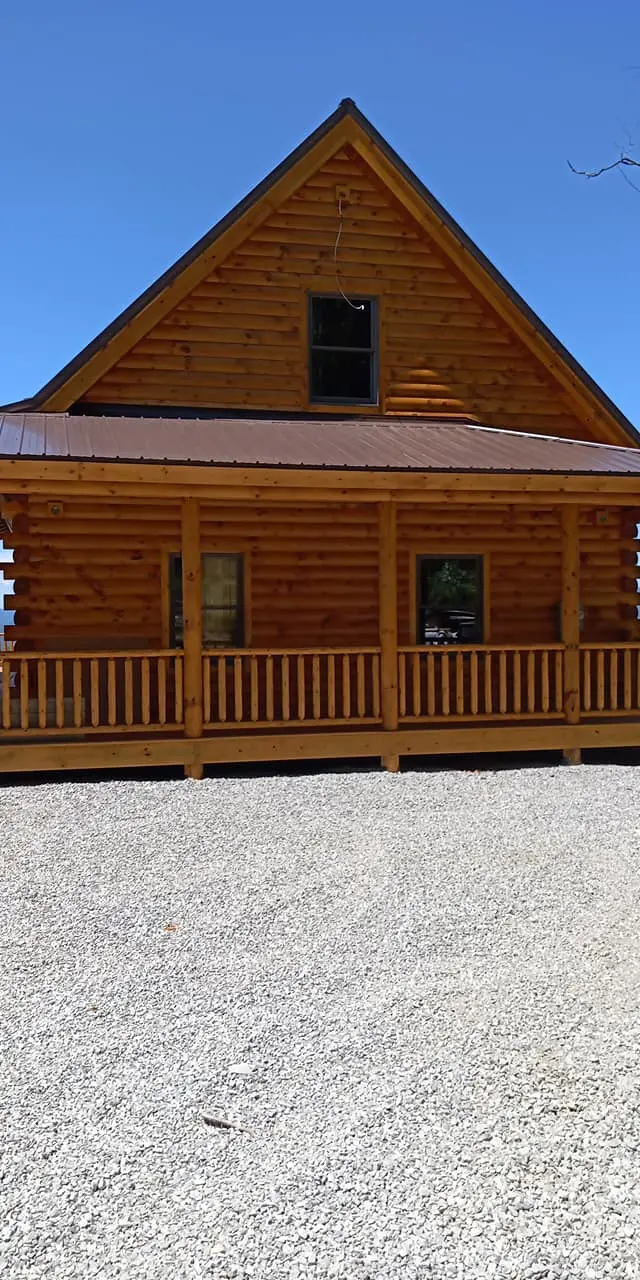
(327, 490)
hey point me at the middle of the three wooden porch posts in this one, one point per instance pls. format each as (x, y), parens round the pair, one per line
(388, 621)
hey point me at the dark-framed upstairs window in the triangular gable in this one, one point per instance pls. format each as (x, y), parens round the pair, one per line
(344, 359)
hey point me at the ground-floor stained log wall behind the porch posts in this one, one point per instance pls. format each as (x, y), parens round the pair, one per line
(93, 577)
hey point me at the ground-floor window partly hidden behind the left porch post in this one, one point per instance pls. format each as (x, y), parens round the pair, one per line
(223, 614)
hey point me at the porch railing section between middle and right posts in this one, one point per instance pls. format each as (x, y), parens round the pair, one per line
(488, 683)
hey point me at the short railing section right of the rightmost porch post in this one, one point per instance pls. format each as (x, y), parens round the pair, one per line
(610, 679)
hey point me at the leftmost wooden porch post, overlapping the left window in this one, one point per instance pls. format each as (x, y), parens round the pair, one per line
(193, 625)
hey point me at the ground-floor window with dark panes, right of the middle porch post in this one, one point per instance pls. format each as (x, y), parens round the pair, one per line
(450, 600)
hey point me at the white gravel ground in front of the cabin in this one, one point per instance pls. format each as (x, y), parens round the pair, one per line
(414, 998)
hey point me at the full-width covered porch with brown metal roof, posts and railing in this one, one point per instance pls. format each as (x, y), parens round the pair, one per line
(209, 592)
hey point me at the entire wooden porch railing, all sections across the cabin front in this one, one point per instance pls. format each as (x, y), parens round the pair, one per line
(79, 694)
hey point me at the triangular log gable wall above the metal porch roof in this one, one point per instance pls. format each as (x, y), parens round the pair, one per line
(228, 327)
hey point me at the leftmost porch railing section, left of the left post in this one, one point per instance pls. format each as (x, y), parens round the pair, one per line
(68, 694)
